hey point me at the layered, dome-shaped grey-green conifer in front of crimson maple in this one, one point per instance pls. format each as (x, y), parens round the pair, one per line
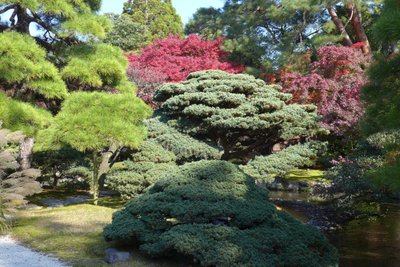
(237, 112)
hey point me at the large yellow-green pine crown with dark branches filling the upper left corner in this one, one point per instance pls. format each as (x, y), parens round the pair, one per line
(64, 52)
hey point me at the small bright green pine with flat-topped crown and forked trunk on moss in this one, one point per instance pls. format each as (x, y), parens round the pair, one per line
(98, 123)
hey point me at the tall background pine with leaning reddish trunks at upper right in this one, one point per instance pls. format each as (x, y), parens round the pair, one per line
(266, 33)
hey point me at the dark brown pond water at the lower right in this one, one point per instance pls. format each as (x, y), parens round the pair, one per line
(364, 243)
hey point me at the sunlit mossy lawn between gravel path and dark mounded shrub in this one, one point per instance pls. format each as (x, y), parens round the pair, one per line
(74, 235)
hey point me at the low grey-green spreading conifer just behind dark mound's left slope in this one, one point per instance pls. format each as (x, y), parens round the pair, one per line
(164, 148)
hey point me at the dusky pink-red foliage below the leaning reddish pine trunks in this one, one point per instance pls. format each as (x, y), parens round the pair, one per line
(333, 84)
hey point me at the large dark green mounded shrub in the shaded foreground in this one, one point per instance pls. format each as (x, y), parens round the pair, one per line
(215, 213)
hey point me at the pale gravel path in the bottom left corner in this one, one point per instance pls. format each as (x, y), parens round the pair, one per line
(13, 254)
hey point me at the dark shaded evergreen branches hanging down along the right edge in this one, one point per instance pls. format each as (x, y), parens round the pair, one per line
(382, 98)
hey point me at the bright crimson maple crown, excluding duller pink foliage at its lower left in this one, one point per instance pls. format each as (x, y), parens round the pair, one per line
(177, 58)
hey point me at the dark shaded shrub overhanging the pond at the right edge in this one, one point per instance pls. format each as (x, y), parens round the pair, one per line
(373, 167)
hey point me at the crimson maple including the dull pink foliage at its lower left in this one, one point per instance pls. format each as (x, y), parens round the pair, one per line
(173, 59)
